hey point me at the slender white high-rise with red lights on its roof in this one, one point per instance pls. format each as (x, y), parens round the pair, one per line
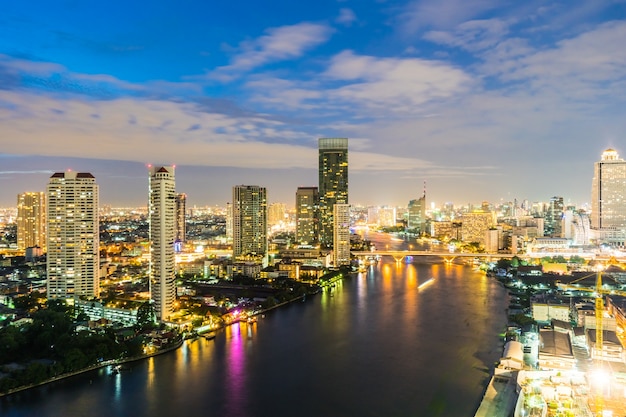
(162, 219)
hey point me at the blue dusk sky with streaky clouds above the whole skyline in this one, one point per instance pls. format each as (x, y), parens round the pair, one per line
(471, 100)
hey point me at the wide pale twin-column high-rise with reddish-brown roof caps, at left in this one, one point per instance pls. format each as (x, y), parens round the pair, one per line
(73, 260)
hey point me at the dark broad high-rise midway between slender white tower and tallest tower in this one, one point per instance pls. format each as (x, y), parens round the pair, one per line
(249, 221)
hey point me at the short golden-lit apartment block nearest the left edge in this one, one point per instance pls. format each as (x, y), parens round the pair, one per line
(31, 220)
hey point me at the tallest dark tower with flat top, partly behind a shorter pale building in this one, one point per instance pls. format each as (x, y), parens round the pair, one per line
(333, 183)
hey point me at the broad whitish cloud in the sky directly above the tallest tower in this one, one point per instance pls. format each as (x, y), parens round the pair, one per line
(367, 86)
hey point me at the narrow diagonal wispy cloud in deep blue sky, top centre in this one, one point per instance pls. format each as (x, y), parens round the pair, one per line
(278, 44)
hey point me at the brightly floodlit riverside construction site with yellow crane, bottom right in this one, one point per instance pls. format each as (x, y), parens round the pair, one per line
(572, 363)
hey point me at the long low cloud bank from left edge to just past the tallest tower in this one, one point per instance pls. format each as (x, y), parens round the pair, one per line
(129, 129)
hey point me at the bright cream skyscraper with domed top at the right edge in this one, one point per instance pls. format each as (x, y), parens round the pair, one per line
(608, 205)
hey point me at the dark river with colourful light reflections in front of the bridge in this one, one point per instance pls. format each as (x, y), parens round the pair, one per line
(375, 345)
